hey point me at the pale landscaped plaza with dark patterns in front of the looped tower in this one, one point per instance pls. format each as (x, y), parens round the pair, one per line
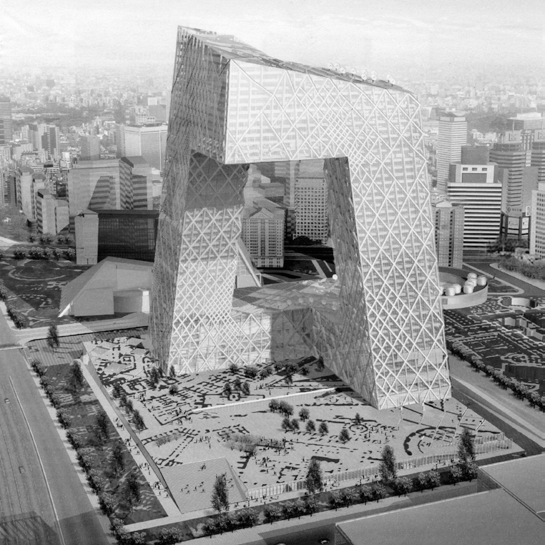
(195, 429)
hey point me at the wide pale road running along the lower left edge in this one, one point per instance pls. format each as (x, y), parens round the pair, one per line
(19, 462)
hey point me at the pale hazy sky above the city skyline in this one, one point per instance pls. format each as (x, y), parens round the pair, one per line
(371, 34)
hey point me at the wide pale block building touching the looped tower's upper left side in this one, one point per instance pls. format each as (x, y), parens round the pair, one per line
(147, 141)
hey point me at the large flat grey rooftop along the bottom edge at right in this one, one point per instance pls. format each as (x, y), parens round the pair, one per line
(493, 517)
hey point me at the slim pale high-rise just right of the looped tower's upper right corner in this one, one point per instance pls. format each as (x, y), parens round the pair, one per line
(452, 136)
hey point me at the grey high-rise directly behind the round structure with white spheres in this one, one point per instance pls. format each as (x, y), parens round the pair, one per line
(449, 233)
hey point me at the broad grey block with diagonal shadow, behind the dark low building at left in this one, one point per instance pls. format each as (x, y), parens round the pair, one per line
(96, 181)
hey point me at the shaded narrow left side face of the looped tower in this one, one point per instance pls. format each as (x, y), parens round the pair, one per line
(196, 125)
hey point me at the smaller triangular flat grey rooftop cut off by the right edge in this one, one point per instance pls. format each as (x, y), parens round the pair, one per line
(525, 478)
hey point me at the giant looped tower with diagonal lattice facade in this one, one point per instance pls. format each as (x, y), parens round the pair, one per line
(231, 106)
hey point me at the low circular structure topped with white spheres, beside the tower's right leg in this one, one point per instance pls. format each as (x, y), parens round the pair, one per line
(461, 289)
